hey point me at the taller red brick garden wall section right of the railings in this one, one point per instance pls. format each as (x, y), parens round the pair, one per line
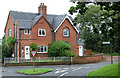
(87, 59)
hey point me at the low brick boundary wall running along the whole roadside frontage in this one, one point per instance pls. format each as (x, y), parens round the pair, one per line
(75, 60)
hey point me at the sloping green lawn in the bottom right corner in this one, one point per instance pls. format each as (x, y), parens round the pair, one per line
(108, 70)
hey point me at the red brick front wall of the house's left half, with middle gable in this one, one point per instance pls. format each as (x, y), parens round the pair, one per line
(26, 40)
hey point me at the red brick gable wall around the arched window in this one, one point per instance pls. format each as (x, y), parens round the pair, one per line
(71, 39)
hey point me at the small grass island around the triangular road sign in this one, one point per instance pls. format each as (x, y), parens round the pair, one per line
(37, 71)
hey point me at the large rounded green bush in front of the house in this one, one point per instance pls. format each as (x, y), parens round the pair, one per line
(59, 49)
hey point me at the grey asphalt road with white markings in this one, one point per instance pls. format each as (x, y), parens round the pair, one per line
(58, 70)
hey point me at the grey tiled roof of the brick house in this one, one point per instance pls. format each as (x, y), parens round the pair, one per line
(27, 20)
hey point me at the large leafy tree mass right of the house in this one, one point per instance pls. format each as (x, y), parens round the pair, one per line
(106, 15)
